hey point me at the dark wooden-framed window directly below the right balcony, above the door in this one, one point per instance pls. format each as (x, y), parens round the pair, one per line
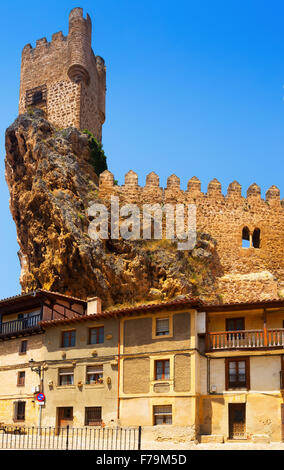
(237, 373)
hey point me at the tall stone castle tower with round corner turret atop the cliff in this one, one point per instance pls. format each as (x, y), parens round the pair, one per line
(65, 78)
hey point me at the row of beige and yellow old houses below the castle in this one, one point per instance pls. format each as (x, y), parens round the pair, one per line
(212, 372)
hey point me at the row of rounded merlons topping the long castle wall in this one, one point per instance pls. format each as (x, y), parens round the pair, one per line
(193, 191)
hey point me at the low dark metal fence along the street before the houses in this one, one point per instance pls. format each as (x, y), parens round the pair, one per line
(68, 438)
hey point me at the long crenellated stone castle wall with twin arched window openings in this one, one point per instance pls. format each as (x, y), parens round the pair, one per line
(247, 273)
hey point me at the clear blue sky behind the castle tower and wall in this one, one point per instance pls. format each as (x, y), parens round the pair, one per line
(194, 88)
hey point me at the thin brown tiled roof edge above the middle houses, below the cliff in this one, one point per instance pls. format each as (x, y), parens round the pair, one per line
(188, 302)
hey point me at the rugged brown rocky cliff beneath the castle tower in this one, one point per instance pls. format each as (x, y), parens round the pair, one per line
(52, 183)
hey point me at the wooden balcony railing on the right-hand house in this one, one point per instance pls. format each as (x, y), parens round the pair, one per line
(246, 339)
